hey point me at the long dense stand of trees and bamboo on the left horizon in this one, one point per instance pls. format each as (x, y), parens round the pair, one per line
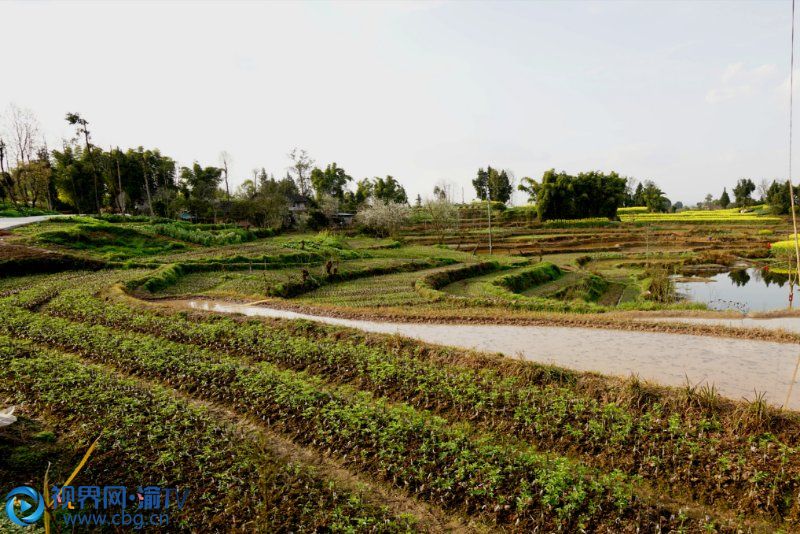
(82, 177)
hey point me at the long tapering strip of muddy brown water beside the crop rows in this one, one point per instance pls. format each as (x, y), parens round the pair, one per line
(736, 367)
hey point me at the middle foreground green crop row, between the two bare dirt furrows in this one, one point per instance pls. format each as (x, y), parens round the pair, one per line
(445, 464)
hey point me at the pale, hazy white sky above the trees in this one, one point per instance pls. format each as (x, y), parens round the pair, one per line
(691, 95)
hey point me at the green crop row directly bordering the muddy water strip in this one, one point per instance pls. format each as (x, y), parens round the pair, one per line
(649, 441)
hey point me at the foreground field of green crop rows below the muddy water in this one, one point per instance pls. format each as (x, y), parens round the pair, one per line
(493, 442)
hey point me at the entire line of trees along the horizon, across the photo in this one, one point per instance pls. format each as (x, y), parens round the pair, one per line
(82, 177)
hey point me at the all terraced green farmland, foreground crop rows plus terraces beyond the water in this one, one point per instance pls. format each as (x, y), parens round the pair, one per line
(316, 428)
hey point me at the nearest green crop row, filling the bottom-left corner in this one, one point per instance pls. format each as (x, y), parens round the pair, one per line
(150, 437)
